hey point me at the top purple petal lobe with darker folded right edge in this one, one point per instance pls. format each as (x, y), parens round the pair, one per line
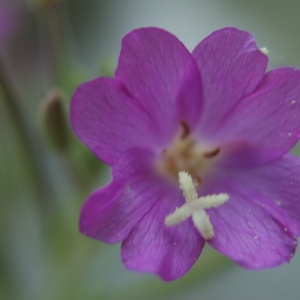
(160, 72)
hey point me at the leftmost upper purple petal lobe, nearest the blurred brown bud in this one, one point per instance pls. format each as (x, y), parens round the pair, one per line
(108, 121)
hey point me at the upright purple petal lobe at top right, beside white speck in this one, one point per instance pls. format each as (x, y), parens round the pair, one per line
(231, 67)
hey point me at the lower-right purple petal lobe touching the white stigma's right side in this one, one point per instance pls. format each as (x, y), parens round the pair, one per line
(253, 240)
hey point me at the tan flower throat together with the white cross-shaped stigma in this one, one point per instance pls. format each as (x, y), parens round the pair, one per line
(188, 161)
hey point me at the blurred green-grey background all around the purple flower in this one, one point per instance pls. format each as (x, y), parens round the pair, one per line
(49, 47)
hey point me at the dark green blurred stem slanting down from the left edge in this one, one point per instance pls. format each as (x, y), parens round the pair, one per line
(28, 140)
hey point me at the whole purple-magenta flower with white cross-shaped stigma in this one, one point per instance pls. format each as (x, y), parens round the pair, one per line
(198, 143)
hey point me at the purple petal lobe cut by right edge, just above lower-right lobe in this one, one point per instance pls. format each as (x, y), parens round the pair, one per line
(279, 182)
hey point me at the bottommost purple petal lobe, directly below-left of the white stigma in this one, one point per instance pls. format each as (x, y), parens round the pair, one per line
(166, 251)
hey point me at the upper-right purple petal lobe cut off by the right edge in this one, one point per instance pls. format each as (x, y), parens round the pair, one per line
(267, 120)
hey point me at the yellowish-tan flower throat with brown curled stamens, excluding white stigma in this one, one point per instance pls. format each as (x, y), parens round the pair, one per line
(186, 154)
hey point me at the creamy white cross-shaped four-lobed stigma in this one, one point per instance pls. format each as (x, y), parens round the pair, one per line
(195, 207)
